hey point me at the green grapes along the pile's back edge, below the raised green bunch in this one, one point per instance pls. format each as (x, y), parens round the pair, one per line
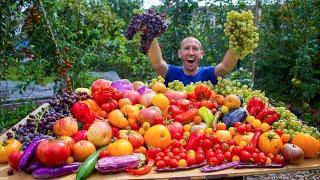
(226, 87)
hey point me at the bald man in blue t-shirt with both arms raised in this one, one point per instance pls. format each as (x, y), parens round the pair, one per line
(190, 53)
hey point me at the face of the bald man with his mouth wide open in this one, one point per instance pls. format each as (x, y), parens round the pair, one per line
(190, 53)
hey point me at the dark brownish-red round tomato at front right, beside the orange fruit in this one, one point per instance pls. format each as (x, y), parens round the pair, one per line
(293, 153)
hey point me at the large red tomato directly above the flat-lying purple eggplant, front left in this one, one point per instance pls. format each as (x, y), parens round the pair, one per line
(52, 153)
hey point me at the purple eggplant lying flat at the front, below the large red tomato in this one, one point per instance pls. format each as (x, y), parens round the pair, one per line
(55, 171)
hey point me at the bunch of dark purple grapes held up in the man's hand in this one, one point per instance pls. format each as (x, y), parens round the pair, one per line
(150, 23)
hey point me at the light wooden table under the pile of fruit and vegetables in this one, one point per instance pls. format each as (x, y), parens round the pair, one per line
(307, 164)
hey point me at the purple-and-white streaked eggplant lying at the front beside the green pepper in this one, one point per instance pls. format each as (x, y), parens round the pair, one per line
(114, 164)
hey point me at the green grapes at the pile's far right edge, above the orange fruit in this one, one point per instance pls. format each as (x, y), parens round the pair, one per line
(290, 124)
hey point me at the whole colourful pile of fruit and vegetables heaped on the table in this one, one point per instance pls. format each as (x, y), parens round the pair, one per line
(133, 127)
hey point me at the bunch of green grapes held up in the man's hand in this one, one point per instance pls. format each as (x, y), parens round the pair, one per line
(243, 35)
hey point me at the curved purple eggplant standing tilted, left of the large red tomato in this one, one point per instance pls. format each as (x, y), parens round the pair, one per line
(29, 153)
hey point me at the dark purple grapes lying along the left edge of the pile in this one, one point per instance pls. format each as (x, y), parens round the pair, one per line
(41, 124)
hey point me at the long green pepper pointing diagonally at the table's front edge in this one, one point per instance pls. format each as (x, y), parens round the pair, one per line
(87, 167)
